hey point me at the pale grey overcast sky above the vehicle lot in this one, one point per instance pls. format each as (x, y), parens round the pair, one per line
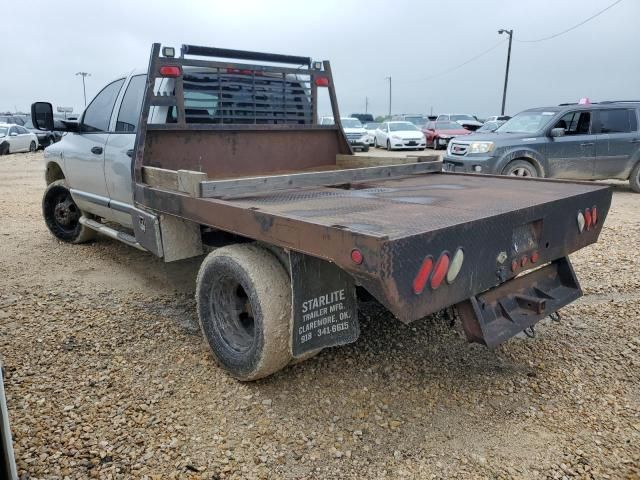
(366, 41)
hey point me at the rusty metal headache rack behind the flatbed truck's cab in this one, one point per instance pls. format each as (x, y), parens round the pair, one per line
(255, 115)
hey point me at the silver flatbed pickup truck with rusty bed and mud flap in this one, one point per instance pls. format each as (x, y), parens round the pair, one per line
(218, 153)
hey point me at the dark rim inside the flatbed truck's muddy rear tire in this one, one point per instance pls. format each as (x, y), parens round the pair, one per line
(232, 309)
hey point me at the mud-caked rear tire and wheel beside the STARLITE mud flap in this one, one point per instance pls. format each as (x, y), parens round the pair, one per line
(244, 308)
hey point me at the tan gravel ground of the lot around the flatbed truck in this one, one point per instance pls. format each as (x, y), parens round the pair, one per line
(108, 377)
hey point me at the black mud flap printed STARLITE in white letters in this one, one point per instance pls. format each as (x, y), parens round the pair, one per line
(325, 312)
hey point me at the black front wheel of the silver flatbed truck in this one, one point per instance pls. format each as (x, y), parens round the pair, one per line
(62, 215)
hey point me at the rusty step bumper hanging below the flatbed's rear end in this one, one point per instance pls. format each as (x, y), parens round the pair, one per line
(496, 315)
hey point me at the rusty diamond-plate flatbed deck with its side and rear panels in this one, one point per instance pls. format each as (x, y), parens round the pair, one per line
(397, 223)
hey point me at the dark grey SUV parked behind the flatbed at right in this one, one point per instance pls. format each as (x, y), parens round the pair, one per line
(596, 141)
